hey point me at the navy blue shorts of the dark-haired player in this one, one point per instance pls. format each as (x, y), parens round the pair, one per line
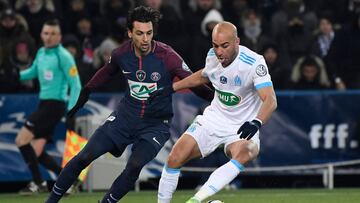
(130, 130)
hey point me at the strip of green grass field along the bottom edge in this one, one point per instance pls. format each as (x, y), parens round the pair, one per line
(240, 196)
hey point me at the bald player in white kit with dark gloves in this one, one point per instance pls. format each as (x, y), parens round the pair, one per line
(244, 100)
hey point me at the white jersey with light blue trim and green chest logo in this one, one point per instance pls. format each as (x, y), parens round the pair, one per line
(236, 99)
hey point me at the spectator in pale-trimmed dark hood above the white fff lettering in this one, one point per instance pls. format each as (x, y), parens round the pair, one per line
(309, 73)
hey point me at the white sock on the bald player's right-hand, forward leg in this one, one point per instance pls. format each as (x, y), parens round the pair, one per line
(219, 178)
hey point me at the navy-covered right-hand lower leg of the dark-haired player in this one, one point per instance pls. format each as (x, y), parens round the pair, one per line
(142, 153)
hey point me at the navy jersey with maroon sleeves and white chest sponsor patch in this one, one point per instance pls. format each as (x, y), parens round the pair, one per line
(144, 75)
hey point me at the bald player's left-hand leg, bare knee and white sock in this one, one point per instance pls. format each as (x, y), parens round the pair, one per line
(185, 149)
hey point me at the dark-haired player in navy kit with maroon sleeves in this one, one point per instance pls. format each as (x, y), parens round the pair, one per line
(147, 65)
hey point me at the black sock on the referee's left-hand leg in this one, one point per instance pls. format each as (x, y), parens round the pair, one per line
(28, 153)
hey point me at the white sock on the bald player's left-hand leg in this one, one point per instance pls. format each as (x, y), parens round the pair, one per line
(168, 183)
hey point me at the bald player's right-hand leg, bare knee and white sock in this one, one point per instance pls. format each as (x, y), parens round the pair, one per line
(240, 152)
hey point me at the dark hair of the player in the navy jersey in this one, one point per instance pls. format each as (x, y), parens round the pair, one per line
(143, 14)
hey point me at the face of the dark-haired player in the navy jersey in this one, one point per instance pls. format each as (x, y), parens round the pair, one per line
(141, 35)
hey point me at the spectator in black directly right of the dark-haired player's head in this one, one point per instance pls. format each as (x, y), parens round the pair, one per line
(170, 30)
